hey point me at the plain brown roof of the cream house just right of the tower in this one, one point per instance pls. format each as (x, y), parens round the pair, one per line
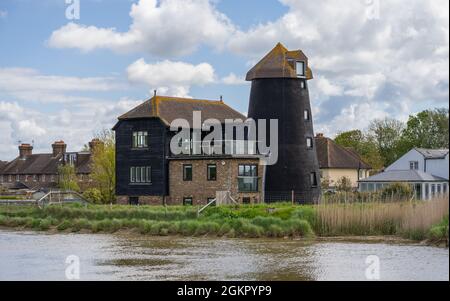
(332, 155)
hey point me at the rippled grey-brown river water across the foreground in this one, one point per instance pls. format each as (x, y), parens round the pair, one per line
(36, 256)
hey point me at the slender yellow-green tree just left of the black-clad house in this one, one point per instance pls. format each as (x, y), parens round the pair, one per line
(103, 165)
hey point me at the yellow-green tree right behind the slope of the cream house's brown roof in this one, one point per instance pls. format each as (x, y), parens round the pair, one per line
(363, 145)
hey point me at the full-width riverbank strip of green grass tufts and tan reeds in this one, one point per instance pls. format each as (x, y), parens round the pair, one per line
(418, 221)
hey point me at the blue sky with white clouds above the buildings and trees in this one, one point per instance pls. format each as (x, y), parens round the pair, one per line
(67, 73)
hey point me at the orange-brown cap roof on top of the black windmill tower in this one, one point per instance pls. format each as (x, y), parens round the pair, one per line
(279, 63)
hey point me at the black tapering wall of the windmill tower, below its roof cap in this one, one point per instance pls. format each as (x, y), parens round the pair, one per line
(284, 99)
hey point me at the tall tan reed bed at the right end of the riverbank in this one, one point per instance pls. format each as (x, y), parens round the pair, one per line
(411, 219)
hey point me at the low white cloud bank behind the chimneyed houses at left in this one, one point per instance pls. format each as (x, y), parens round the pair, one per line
(75, 127)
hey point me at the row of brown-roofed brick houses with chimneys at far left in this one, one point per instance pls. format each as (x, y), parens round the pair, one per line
(40, 171)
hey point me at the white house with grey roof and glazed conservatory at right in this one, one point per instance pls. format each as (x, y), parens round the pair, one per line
(425, 170)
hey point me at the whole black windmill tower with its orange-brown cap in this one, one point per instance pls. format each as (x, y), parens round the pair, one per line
(280, 91)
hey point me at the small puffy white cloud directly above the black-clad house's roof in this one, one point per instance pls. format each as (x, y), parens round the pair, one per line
(173, 78)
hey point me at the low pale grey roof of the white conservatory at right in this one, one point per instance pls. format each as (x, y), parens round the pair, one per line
(404, 176)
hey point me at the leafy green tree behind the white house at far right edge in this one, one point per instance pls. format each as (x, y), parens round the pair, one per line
(428, 129)
